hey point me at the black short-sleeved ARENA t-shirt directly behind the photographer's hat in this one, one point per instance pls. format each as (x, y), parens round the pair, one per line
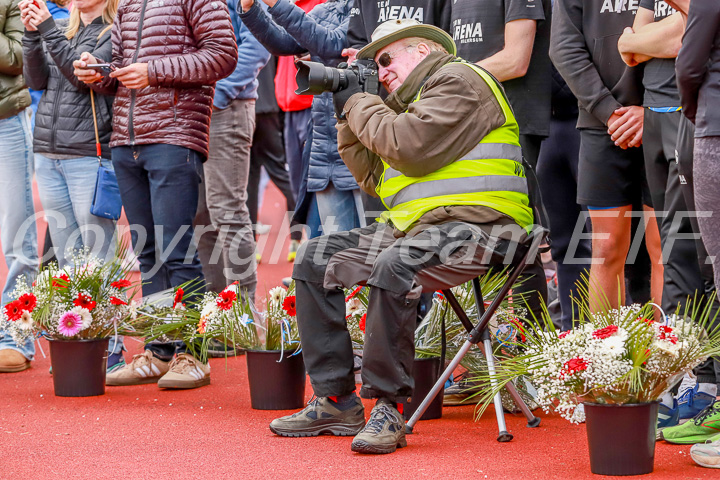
(478, 28)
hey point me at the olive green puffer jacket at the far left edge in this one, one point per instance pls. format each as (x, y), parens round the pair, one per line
(14, 95)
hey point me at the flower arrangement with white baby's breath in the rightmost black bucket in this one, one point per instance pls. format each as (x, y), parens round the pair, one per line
(620, 356)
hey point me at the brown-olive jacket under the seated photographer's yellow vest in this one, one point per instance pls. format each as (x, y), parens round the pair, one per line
(455, 111)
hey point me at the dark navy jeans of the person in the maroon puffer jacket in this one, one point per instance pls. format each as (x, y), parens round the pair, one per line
(159, 187)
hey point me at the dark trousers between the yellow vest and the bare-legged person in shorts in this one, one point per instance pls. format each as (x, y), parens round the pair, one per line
(557, 175)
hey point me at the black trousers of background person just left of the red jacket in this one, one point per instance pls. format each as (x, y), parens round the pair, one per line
(268, 151)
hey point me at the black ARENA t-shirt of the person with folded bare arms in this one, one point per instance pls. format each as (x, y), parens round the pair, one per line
(659, 77)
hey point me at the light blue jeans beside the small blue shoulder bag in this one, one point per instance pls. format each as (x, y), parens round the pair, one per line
(66, 191)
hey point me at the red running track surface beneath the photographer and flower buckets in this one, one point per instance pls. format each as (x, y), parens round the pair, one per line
(211, 432)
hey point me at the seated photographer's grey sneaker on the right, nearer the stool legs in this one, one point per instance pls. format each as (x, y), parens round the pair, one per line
(384, 432)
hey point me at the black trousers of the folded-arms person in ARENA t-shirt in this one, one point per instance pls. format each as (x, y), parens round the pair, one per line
(682, 274)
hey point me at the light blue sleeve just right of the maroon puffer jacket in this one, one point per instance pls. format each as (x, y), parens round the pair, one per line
(252, 57)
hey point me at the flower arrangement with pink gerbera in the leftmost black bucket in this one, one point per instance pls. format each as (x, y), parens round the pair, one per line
(87, 300)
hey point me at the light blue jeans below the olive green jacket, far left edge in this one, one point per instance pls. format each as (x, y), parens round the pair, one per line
(18, 233)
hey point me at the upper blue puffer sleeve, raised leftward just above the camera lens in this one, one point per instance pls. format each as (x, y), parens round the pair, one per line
(305, 29)
